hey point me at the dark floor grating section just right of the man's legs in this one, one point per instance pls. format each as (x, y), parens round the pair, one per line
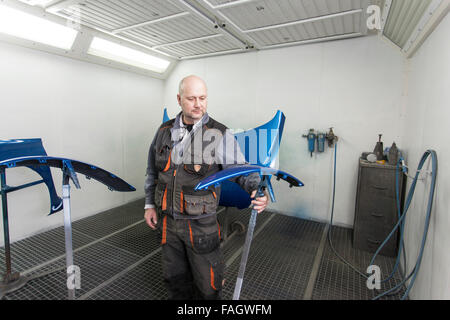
(280, 261)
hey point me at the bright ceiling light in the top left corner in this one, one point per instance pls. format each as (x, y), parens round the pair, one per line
(27, 26)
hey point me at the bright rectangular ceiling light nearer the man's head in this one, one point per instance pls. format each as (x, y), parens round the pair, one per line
(116, 52)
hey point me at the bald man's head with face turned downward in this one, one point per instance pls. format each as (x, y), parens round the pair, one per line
(193, 100)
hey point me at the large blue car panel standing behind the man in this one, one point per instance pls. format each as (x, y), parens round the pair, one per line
(232, 195)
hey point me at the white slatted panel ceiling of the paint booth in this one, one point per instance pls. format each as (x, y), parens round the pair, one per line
(185, 28)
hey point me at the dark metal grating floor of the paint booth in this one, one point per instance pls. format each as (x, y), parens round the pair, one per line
(120, 259)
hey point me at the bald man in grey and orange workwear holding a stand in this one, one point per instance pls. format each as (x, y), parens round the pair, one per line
(192, 262)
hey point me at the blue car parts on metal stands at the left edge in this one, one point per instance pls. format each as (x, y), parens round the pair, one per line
(30, 153)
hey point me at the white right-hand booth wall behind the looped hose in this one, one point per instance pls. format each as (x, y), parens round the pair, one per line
(426, 120)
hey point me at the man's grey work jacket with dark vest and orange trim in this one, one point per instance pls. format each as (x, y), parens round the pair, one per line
(178, 160)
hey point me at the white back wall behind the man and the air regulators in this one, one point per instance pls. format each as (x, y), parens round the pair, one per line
(353, 85)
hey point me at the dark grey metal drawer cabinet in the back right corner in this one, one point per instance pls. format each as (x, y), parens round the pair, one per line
(376, 208)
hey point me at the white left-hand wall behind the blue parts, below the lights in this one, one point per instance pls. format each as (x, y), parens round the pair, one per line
(81, 111)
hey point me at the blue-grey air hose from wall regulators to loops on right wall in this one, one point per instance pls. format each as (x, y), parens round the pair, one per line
(400, 224)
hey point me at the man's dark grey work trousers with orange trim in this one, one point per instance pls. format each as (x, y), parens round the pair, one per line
(192, 261)
